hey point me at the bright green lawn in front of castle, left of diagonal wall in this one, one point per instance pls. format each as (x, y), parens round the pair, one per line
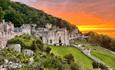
(78, 55)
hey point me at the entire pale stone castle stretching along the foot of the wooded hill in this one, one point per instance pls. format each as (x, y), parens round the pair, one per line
(49, 34)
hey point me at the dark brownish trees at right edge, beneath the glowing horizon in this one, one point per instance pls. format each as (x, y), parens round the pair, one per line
(101, 40)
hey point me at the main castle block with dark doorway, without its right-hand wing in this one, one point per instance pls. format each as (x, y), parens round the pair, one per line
(52, 36)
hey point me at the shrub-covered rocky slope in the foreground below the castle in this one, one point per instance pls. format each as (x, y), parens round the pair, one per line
(32, 55)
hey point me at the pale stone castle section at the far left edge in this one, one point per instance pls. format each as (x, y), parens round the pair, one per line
(6, 31)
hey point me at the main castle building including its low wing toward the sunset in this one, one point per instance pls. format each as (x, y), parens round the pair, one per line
(53, 35)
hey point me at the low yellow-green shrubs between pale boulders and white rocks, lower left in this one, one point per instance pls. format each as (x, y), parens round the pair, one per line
(13, 56)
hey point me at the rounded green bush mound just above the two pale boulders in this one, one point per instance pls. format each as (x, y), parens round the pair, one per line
(27, 42)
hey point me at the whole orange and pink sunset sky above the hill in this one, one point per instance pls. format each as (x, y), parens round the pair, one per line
(88, 15)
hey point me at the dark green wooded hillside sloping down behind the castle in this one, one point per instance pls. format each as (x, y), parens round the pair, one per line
(20, 14)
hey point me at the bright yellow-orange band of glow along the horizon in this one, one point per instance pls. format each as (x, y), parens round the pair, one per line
(110, 31)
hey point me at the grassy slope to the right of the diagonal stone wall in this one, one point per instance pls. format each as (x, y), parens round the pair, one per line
(100, 53)
